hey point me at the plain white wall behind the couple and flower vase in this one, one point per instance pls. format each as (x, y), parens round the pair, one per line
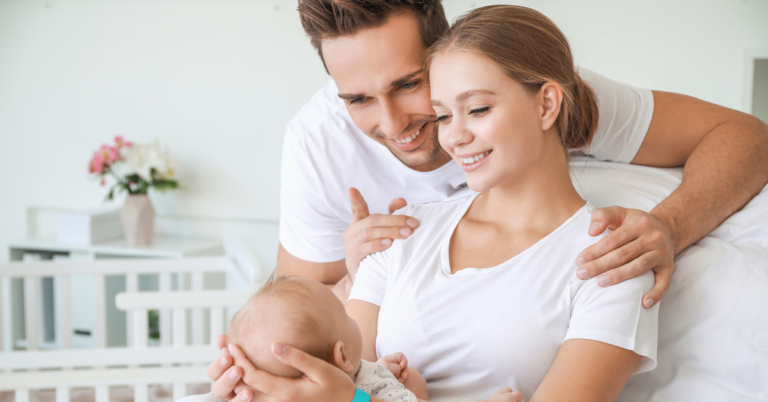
(217, 80)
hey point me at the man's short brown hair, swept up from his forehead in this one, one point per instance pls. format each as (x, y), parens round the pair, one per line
(328, 19)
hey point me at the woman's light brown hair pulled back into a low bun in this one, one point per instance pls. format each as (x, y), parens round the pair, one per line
(530, 49)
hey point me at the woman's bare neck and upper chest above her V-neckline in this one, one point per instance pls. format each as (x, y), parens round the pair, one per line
(541, 197)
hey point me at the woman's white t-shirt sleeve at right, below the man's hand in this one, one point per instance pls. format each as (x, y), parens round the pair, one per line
(614, 315)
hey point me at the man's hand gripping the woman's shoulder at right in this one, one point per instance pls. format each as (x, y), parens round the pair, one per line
(639, 242)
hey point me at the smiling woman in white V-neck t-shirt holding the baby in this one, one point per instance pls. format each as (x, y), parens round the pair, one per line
(484, 295)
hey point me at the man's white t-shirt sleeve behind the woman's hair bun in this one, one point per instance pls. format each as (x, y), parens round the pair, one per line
(625, 116)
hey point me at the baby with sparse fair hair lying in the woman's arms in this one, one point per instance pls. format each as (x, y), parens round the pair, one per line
(307, 315)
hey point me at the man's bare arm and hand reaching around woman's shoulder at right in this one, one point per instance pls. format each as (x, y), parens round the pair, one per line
(724, 153)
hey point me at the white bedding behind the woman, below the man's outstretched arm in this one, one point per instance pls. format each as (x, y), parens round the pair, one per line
(713, 321)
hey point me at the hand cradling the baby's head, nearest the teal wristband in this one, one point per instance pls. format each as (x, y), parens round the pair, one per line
(321, 382)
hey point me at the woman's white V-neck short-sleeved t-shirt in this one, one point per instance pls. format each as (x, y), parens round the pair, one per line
(478, 330)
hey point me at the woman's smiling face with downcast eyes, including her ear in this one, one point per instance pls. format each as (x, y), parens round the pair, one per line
(489, 124)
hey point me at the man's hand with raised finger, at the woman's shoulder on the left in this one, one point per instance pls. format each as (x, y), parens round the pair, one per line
(368, 234)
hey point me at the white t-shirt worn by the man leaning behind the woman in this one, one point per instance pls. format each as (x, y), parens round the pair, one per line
(324, 154)
